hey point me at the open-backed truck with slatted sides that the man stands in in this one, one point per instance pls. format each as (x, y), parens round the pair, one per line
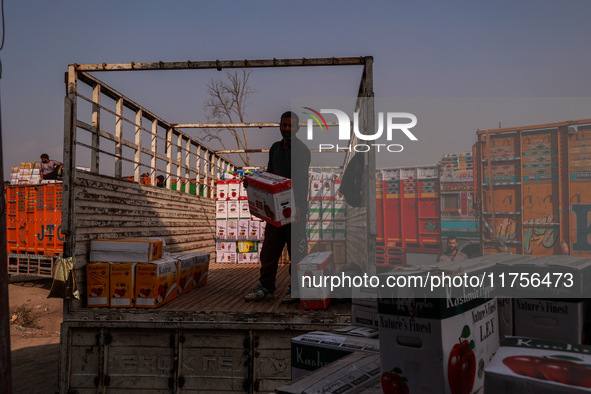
(209, 340)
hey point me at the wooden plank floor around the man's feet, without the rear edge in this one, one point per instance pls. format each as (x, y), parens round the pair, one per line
(228, 283)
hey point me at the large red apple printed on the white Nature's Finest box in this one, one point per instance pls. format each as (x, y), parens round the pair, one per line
(461, 366)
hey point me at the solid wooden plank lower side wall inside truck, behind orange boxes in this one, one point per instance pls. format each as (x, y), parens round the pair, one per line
(107, 207)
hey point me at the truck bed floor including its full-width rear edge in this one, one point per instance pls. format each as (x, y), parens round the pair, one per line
(221, 301)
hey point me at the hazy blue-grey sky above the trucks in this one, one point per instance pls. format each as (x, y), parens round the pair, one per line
(421, 49)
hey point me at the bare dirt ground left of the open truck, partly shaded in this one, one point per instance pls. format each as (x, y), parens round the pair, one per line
(35, 351)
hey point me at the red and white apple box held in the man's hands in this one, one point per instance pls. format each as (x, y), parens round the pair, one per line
(270, 197)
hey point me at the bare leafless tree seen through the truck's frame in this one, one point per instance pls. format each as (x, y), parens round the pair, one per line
(227, 103)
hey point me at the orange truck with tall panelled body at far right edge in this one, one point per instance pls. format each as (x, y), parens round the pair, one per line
(532, 184)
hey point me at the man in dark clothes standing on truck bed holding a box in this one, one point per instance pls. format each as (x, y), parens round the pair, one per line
(280, 163)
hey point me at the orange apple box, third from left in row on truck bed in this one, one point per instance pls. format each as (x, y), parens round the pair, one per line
(156, 283)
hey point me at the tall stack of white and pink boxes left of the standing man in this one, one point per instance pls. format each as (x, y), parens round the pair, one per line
(239, 234)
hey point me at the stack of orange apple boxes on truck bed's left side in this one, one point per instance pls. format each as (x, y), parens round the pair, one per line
(135, 272)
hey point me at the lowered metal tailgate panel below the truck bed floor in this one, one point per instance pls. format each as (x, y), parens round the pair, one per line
(163, 360)
